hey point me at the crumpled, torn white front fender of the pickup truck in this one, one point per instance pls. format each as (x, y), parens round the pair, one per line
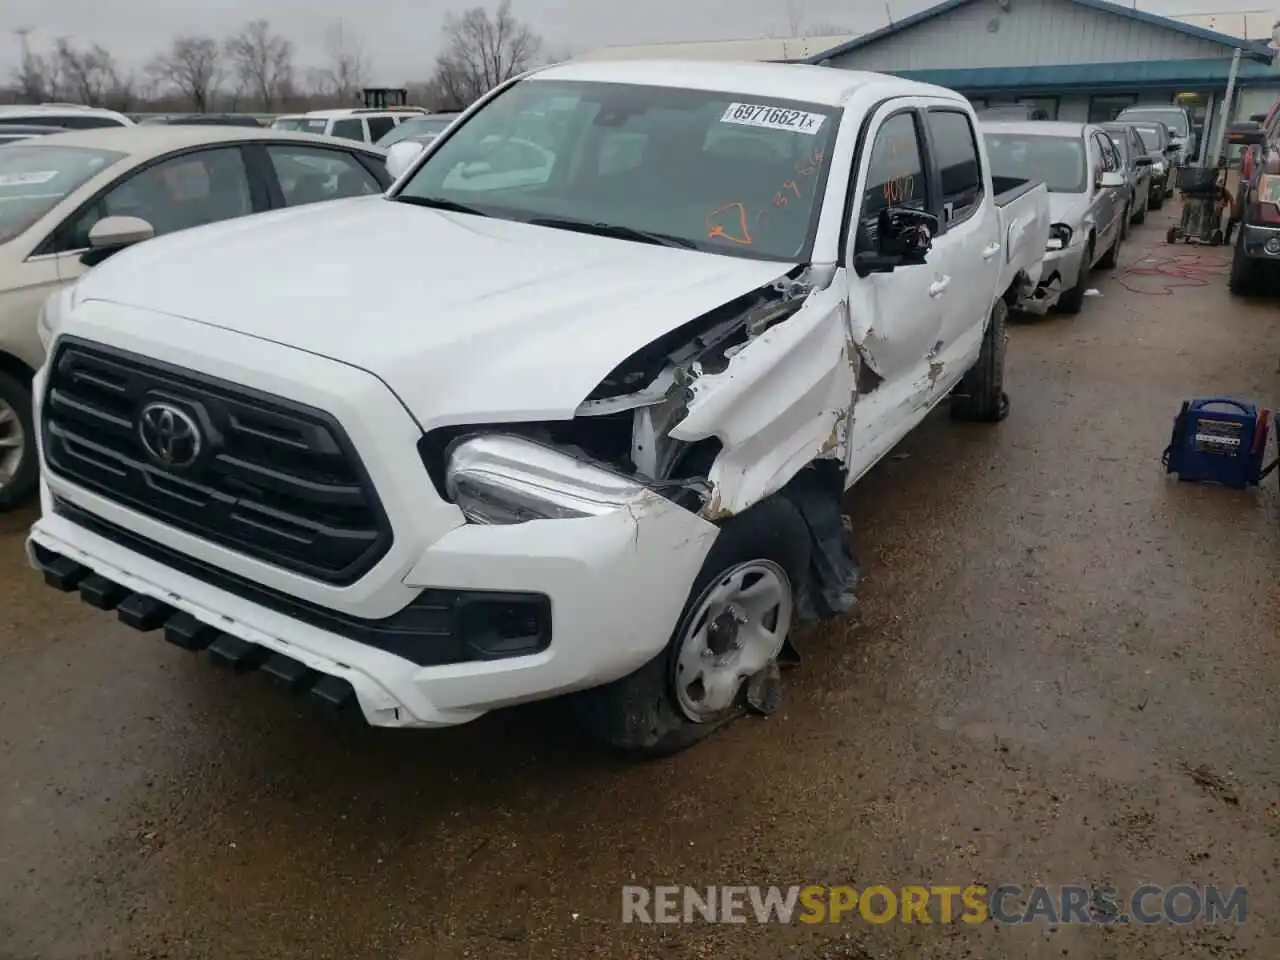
(770, 380)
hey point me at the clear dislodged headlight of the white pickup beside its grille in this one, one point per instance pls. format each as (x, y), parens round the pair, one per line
(505, 479)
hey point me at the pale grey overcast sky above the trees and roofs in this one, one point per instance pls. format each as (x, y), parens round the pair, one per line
(403, 36)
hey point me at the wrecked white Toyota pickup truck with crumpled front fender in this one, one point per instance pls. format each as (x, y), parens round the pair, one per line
(651, 322)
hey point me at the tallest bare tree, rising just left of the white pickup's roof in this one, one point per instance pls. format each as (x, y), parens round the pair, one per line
(482, 52)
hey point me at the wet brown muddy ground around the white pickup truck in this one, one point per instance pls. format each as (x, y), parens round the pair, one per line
(1053, 636)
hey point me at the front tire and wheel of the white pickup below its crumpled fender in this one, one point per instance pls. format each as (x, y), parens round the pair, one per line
(691, 691)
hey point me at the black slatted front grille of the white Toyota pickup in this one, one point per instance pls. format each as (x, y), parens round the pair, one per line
(272, 479)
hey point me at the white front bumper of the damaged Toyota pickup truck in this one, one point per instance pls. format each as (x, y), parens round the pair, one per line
(615, 584)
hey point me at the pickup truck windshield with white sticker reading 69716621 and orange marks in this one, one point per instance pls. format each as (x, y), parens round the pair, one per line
(711, 171)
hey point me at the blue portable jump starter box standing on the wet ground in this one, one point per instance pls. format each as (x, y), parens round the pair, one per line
(1222, 442)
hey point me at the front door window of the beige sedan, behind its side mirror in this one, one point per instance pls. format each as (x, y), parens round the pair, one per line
(185, 191)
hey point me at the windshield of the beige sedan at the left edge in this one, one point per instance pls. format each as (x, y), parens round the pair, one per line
(35, 179)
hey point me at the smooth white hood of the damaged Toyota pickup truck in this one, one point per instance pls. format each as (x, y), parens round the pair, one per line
(468, 319)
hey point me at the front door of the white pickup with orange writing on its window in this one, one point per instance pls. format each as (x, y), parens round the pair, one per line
(895, 318)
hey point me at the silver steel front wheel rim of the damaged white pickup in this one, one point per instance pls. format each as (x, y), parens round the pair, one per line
(734, 632)
